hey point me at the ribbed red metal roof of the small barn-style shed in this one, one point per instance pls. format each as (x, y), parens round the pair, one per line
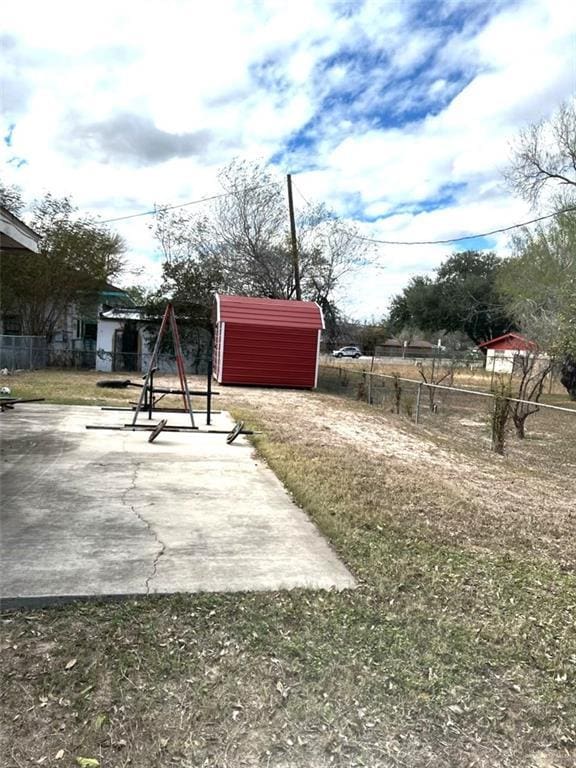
(268, 312)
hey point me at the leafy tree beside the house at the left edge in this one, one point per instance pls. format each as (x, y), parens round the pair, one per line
(78, 256)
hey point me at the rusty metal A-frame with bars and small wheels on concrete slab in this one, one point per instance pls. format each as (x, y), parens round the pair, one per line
(147, 399)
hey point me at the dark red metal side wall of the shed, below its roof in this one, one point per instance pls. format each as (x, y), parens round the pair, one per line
(283, 357)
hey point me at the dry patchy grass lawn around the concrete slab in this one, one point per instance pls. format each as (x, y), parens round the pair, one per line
(458, 648)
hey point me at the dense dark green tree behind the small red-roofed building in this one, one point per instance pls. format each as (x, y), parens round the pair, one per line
(462, 296)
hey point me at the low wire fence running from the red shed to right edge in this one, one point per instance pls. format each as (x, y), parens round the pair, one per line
(457, 412)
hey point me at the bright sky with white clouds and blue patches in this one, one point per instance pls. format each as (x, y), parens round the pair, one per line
(397, 114)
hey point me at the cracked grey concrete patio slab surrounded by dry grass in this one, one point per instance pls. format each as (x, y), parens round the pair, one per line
(106, 513)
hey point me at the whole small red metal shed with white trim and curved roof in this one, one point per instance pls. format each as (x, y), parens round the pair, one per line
(271, 342)
